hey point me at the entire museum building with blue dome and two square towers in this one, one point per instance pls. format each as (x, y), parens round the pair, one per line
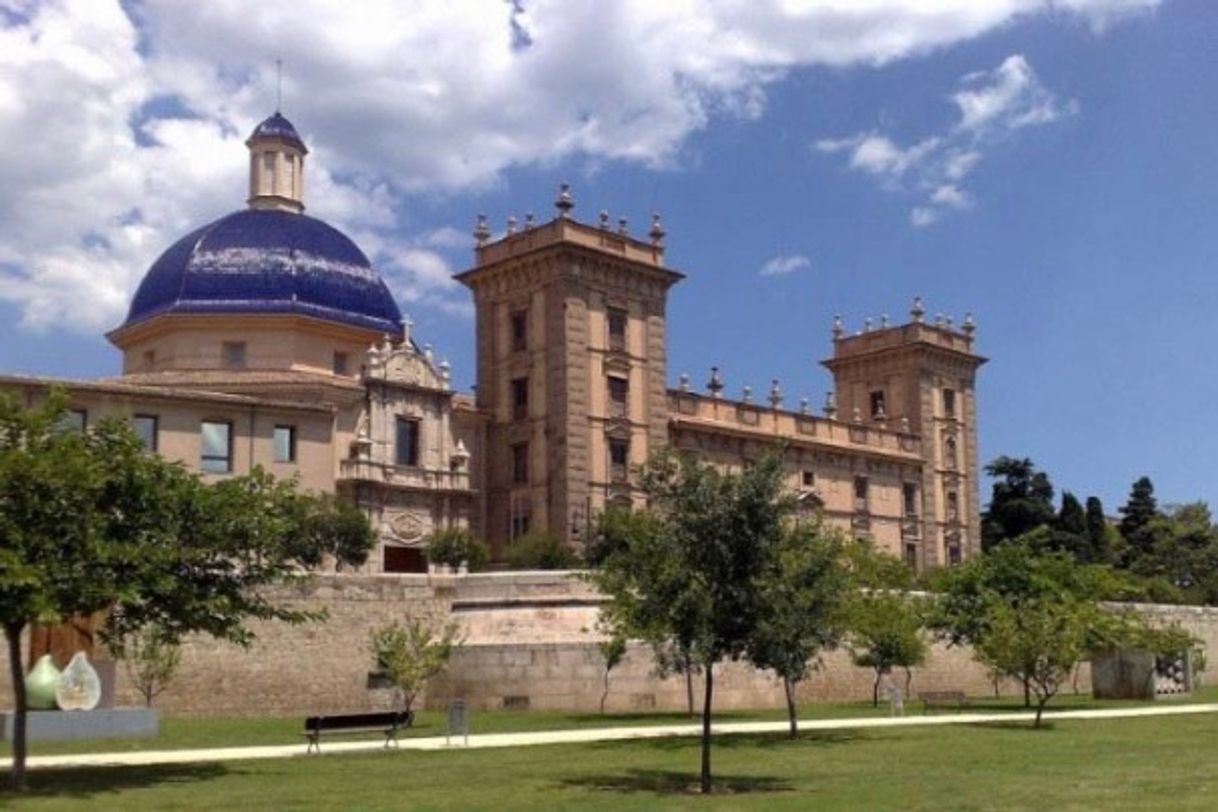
(267, 338)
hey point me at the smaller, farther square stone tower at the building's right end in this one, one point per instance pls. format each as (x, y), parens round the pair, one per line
(919, 379)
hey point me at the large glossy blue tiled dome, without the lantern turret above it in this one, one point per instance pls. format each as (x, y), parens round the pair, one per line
(266, 261)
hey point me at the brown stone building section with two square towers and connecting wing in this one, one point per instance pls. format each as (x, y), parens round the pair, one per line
(572, 378)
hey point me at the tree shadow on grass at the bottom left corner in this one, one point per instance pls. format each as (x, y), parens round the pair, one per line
(86, 783)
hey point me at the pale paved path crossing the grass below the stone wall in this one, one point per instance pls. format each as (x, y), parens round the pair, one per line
(589, 735)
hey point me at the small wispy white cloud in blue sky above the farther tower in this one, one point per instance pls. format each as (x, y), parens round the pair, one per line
(991, 105)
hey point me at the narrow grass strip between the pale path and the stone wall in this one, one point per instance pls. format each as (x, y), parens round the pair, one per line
(186, 732)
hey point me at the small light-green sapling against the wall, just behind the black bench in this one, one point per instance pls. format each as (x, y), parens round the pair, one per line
(411, 654)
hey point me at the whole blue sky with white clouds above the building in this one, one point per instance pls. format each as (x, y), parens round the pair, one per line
(1049, 166)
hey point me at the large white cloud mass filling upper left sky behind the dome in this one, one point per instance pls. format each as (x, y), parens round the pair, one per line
(120, 135)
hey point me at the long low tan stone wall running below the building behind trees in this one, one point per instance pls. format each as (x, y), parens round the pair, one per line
(530, 642)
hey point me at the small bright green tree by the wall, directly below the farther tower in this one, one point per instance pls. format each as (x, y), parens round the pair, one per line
(886, 634)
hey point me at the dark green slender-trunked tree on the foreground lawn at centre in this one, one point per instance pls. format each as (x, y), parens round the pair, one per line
(696, 573)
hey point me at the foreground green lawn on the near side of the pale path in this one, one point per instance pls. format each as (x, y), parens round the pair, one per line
(1138, 764)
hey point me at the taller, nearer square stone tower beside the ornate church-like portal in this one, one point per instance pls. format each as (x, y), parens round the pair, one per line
(571, 339)
